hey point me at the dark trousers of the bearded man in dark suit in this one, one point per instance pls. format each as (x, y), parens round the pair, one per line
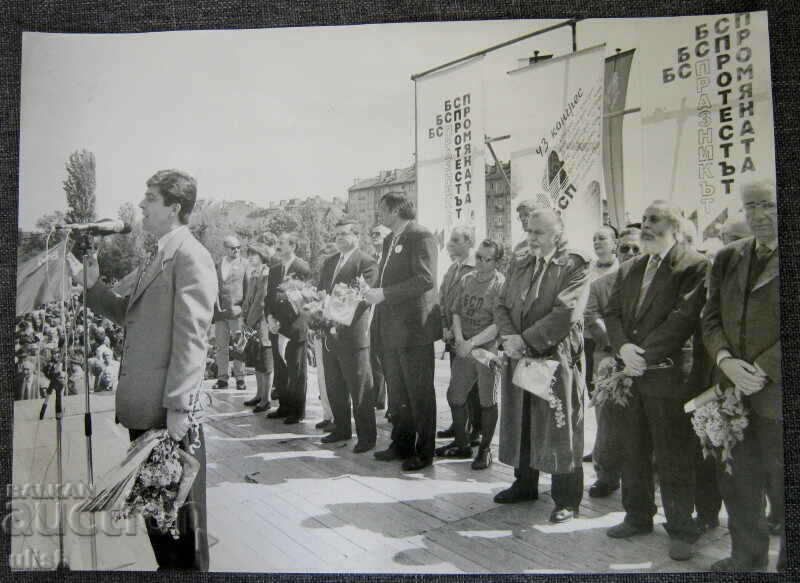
(659, 426)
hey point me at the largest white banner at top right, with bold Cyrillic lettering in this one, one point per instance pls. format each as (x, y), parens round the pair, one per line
(707, 123)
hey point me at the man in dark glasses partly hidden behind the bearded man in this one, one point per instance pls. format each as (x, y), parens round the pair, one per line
(607, 445)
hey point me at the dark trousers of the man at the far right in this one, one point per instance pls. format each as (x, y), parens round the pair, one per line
(757, 464)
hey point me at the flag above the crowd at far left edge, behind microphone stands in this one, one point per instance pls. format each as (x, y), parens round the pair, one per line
(41, 278)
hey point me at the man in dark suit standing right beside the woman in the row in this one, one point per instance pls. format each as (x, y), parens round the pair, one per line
(284, 319)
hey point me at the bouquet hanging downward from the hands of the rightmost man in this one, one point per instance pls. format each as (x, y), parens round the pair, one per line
(719, 421)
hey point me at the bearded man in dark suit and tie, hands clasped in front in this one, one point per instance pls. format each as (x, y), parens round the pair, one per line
(653, 310)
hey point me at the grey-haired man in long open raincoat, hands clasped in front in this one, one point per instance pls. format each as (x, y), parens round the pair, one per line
(539, 314)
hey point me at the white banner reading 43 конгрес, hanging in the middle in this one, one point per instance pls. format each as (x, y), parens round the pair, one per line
(556, 156)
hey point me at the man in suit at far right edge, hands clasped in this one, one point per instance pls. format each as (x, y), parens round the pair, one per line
(741, 329)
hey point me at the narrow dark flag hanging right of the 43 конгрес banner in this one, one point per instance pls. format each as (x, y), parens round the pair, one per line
(618, 68)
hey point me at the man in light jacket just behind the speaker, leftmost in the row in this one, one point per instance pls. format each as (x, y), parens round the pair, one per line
(231, 271)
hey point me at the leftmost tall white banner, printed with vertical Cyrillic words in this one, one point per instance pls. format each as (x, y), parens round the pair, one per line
(451, 183)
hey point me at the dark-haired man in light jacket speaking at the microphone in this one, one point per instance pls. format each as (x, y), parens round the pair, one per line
(167, 319)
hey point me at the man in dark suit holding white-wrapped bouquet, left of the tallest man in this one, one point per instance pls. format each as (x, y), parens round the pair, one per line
(346, 362)
